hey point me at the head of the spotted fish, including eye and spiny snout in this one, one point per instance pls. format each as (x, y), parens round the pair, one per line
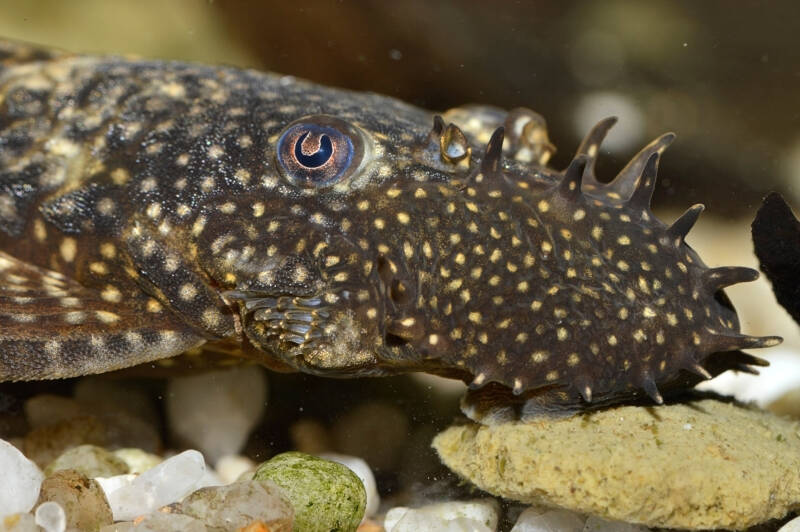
(387, 247)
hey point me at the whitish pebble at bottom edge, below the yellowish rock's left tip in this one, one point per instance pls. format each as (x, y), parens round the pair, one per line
(455, 516)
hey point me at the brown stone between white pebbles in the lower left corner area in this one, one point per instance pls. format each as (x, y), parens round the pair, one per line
(82, 499)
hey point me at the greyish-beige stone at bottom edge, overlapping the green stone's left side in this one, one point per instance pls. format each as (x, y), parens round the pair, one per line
(237, 505)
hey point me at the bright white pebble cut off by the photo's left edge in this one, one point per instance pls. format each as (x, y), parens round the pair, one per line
(21, 480)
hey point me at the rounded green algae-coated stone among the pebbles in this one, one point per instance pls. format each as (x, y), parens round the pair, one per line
(326, 496)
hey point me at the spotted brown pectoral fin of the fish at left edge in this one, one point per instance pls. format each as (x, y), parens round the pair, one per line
(53, 327)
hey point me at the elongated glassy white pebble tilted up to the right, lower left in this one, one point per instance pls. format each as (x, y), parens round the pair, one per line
(168, 482)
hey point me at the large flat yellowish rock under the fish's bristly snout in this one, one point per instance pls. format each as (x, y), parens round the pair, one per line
(701, 465)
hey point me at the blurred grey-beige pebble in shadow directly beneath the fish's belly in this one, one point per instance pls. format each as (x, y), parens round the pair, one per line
(216, 411)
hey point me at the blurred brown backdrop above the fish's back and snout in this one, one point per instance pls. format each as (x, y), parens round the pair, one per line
(724, 75)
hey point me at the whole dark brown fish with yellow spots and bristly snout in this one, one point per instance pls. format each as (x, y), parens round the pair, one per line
(145, 209)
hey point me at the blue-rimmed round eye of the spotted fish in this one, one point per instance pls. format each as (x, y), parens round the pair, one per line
(318, 151)
